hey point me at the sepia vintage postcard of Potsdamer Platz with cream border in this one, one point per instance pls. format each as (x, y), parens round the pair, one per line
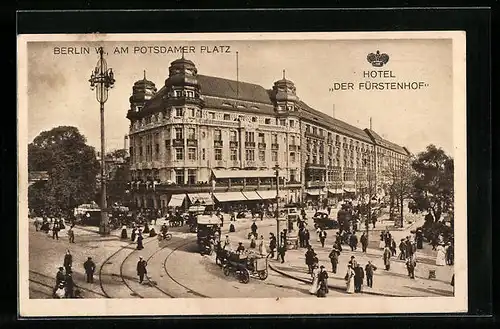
(248, 173)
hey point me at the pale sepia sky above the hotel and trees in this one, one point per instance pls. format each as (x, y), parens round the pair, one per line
(59, 92)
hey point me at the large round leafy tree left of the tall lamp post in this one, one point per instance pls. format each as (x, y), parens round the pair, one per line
(71, 165)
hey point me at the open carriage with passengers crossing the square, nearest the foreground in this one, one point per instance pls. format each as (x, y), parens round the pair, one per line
(243, 265)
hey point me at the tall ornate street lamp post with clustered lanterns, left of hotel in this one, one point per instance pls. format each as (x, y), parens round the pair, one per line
(102, 79)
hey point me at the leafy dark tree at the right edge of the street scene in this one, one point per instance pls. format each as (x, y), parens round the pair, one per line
(433, 186)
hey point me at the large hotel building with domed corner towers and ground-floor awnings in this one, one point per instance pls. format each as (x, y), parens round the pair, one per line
(206, 138)
